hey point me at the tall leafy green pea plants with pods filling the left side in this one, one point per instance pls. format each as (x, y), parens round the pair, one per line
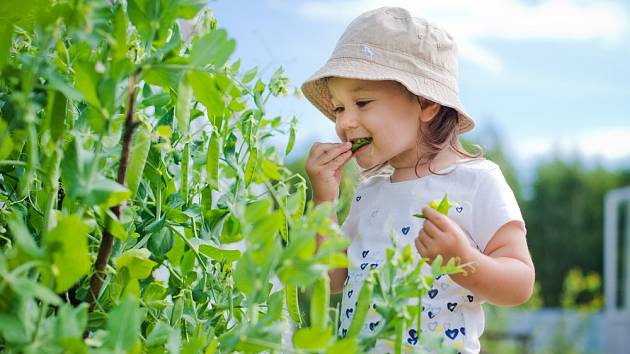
(142, 208)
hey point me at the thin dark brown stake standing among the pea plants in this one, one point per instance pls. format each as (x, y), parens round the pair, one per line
(105, 249)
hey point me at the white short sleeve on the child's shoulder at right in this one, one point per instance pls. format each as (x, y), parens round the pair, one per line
(494, 205)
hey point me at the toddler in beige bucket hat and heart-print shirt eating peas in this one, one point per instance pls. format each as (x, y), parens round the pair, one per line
(391, 88)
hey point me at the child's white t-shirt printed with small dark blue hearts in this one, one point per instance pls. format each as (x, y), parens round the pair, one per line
(482, 203)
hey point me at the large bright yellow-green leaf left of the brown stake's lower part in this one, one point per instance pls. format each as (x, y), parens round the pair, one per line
(68, 247)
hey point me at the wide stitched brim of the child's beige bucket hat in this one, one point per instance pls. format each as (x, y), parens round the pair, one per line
(316, 90)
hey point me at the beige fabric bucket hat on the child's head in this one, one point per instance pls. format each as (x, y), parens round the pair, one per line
(389, 44)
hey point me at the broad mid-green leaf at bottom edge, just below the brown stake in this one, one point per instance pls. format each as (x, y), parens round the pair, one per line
(123, 324)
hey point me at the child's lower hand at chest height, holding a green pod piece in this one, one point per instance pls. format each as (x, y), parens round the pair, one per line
(441, 235)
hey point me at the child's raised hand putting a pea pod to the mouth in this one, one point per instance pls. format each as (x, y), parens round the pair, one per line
(324, 164)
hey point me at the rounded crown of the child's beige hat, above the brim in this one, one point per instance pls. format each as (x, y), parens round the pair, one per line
(394, 29)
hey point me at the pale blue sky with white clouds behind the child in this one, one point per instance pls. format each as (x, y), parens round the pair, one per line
(549, 75)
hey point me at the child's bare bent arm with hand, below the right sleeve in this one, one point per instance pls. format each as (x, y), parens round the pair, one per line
(503, 274)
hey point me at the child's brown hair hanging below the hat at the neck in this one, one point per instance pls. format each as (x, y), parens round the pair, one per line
(431, 139)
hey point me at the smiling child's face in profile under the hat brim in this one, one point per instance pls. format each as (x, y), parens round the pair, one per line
(381, 110)
